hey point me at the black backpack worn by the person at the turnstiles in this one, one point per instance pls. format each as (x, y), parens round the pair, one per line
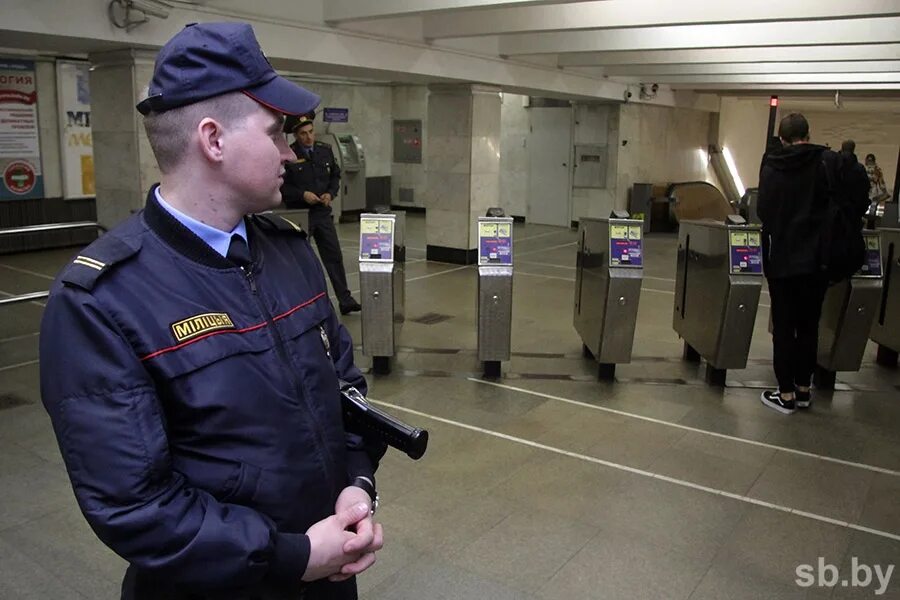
(843, 249)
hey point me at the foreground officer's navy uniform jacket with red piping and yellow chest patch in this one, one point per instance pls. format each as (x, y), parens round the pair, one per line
(197, 407)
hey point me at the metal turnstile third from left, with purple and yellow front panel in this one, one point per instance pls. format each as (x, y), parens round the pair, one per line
(608, 276)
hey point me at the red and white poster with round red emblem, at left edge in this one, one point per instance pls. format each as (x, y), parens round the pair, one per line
(20, 149)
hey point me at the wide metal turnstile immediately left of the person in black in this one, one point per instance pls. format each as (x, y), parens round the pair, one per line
(717, 288)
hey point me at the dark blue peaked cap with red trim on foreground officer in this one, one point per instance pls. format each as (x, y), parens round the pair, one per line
(204, 60)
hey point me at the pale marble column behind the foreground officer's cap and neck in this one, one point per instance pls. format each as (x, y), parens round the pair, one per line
(124, 166)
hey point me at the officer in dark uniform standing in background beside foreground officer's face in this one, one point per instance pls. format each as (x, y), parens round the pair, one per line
(312, 182)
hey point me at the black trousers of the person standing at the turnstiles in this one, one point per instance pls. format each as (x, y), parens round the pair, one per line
(796, 308)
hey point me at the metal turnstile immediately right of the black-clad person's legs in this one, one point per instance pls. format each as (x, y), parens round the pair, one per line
(847, 315)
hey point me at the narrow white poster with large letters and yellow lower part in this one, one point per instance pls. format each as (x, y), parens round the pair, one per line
(77, 152)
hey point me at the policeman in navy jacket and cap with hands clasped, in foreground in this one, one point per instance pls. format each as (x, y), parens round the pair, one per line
(196, 397)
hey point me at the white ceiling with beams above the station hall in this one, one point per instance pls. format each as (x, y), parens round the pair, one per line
(831, 54)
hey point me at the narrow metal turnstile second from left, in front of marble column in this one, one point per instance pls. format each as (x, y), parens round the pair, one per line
(495, 274)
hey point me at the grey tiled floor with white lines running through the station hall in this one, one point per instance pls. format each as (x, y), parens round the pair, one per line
(551, 485)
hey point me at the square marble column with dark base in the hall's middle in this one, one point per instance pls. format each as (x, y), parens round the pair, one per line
(462, 150)
